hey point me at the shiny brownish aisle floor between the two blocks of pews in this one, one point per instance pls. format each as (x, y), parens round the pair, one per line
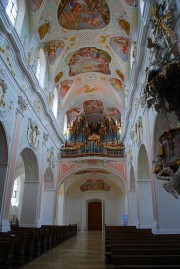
(84, 251)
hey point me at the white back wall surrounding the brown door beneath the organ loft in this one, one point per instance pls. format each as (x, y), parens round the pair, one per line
(76, 208)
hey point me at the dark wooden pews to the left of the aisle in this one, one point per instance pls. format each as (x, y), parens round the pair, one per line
(21, 245)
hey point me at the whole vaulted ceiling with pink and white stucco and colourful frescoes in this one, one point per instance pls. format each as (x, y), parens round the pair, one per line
(87, 44)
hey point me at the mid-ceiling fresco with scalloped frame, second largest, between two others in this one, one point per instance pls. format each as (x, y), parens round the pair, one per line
(88, 59)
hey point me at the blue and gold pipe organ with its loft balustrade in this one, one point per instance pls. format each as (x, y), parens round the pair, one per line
(84, 138)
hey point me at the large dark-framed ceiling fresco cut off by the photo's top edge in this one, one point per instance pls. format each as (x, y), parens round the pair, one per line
(83, 14)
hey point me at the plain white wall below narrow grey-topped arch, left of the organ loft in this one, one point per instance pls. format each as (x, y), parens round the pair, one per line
(48, 207)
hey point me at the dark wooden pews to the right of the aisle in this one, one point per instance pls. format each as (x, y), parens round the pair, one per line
(129, 247)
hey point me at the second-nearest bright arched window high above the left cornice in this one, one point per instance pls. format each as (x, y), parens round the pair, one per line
(41, 68)
